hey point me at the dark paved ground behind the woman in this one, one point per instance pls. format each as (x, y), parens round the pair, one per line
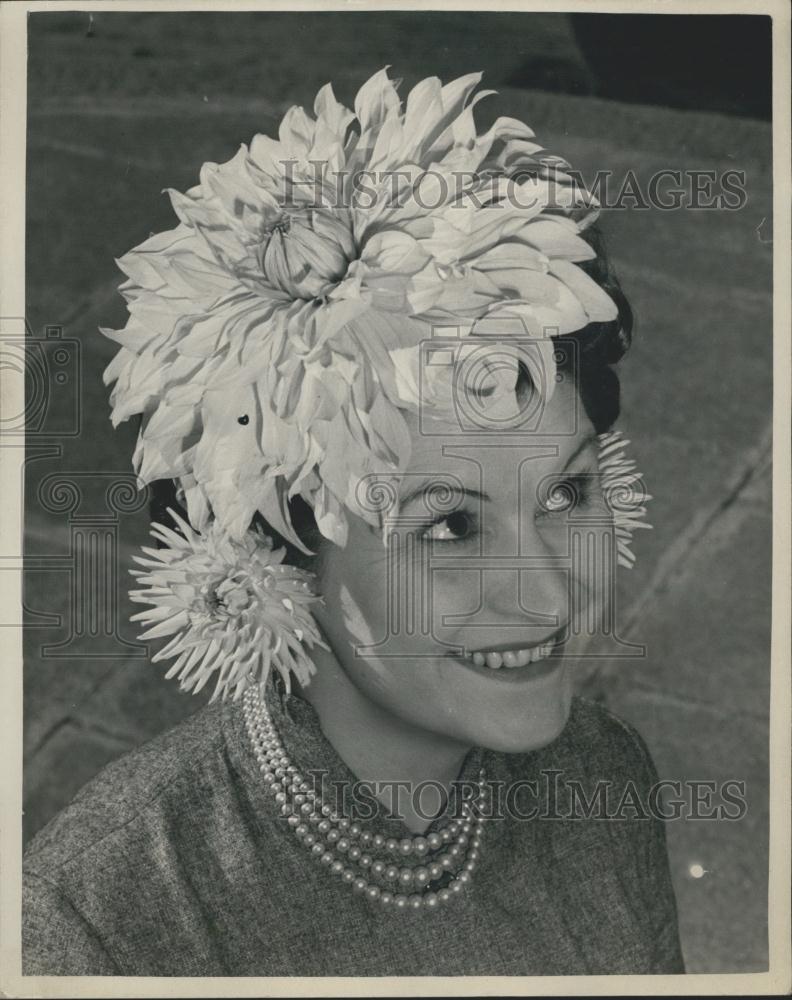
(122, 105)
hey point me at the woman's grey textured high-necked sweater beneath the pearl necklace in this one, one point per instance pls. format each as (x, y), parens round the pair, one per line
(174, 861)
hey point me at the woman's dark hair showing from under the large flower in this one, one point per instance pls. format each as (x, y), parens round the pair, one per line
(596, 348)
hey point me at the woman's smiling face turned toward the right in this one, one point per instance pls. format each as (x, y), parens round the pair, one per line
(464, 624)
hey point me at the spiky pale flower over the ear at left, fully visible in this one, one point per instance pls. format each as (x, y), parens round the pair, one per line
(232, 608)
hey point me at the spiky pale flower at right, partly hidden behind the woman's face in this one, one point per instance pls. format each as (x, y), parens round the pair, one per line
(624, 493)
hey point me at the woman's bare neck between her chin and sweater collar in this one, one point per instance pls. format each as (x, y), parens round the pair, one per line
(379, 747)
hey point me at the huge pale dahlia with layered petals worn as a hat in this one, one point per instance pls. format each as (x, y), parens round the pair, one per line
(273, 340)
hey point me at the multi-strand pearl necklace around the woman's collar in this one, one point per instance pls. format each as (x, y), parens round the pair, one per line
(447, 858)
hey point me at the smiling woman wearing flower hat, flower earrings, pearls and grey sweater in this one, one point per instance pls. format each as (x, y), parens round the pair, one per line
(397, 503)
